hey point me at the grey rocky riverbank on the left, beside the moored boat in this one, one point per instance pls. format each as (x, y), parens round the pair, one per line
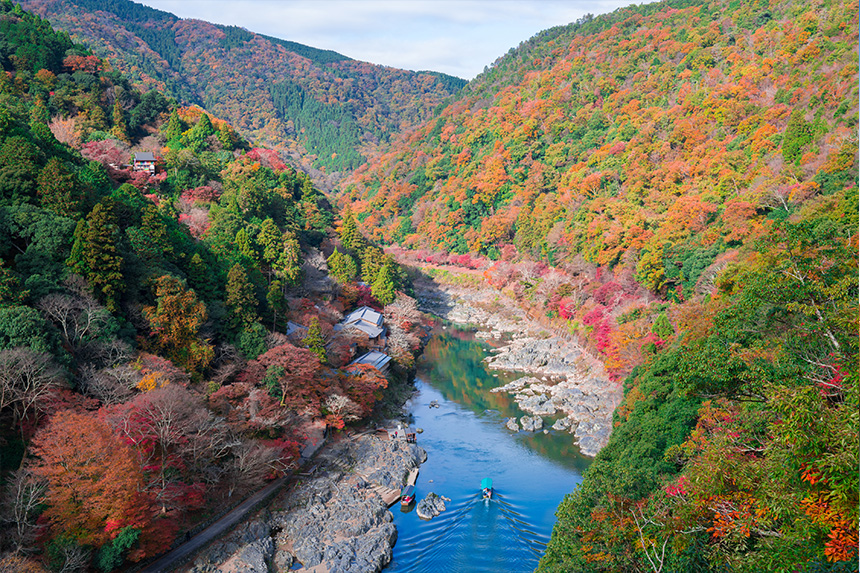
(333, 520)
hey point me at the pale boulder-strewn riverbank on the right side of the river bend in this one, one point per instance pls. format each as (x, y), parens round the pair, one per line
(572, 390)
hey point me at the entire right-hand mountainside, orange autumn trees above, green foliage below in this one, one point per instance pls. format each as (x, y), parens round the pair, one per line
(675, 184)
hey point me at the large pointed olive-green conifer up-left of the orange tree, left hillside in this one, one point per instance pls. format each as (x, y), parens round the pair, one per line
(95, 256)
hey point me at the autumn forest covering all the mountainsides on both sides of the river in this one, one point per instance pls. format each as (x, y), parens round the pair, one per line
(673, 184)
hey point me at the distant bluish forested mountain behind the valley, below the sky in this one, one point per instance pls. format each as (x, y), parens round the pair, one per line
(325, 108)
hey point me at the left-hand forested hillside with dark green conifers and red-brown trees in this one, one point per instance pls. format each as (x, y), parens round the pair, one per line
(147, 380)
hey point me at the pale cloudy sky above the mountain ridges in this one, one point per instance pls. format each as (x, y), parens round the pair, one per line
(457, 37)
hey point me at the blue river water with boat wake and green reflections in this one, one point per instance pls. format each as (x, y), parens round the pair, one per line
(466, 440)
